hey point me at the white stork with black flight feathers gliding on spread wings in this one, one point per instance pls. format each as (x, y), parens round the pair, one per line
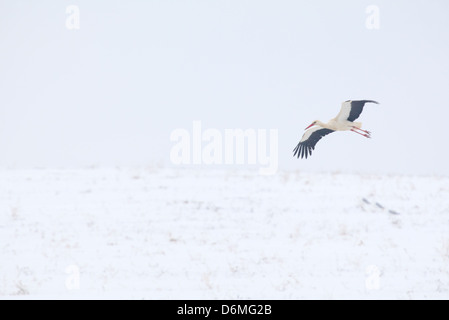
(350, 111)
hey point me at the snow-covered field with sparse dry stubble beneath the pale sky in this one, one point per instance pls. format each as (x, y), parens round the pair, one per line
(159, 233)
